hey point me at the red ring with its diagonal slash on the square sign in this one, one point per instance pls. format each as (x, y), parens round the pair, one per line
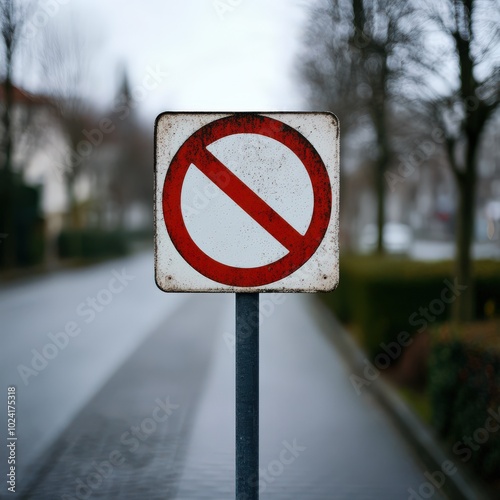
(194, 151)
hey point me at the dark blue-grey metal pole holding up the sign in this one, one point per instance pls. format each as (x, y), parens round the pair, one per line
(247, 396)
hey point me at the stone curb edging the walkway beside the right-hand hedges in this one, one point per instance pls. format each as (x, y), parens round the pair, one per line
(460, 485)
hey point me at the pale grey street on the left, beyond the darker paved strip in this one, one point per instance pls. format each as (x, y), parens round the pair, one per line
(59, 381)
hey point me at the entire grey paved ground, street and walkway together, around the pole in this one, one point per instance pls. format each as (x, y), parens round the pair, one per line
(140, 402)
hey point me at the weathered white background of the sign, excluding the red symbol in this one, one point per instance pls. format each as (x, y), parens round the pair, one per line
(221, 228)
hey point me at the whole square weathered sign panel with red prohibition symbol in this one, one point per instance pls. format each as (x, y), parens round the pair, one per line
(246, 202)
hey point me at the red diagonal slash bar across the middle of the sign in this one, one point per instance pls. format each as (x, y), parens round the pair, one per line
(248, 200)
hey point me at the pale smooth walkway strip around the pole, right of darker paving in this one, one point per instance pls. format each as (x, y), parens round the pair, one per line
(319, 439)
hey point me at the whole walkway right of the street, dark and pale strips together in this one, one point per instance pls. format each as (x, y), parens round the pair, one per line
(162, 427)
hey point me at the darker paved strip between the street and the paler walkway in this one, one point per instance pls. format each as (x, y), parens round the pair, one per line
(127, 441)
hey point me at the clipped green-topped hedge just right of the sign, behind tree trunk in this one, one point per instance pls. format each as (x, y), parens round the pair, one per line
(383, 295)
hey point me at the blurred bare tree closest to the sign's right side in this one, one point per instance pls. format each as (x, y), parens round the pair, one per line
(349, 69)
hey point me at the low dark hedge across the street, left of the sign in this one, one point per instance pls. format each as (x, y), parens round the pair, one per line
(91, 244)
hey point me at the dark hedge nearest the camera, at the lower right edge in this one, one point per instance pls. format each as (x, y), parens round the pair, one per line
(464, 388)
